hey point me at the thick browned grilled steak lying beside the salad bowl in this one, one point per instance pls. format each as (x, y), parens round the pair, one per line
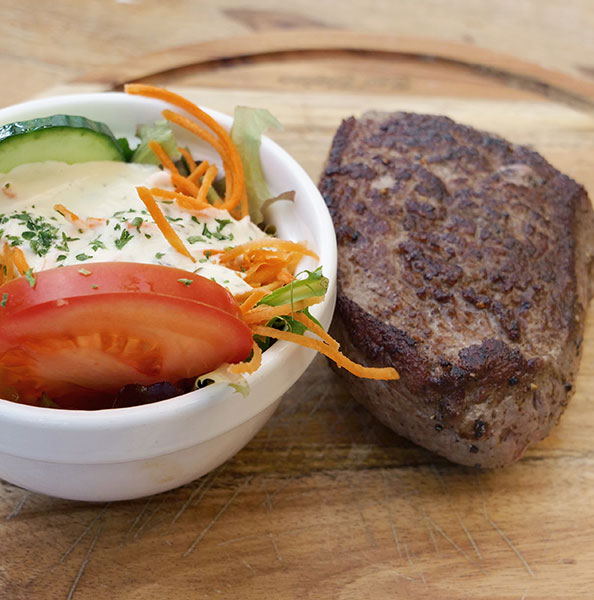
(464, 263)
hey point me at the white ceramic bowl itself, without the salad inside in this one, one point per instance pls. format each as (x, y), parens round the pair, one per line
(131, 452)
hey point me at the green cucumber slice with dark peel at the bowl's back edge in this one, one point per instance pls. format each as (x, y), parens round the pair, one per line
(65, 138)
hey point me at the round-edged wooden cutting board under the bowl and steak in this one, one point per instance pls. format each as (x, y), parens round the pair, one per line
(325, 502)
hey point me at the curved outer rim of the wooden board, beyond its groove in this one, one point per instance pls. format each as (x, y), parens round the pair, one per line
(510, 70)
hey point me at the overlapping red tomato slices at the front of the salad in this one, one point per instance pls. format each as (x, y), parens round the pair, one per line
(80, 345)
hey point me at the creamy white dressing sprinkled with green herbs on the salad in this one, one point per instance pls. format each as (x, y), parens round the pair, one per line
(120, 228)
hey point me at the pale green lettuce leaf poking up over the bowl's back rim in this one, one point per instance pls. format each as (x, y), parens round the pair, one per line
(248, 126)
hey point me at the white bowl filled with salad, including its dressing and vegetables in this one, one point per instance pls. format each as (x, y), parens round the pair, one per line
(166, 274)
